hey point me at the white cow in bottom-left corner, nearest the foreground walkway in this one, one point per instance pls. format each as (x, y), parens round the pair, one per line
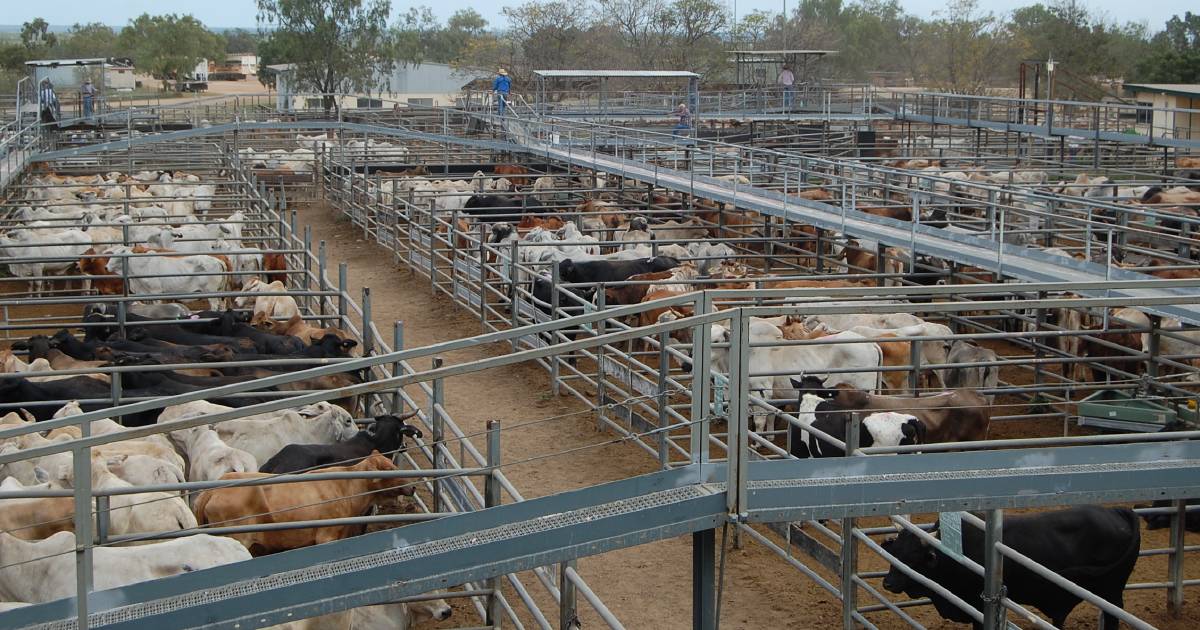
(46, 571)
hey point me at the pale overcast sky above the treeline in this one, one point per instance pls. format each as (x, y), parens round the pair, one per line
(242, 13)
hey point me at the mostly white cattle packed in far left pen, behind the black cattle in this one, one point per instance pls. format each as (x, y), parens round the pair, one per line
(159, 229)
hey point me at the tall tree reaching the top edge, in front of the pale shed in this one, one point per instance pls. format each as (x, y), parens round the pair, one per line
(338, 46)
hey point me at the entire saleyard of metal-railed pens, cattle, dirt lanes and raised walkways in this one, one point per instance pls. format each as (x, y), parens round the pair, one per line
(863, 361)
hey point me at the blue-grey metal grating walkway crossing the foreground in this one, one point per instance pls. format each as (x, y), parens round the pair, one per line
(389, 565)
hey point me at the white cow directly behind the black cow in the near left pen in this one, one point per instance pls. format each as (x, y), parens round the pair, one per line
(265, 435)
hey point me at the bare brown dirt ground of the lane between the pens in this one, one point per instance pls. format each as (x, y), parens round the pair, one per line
(647, 586)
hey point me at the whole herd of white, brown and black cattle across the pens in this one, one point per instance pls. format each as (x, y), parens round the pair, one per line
(602, 250)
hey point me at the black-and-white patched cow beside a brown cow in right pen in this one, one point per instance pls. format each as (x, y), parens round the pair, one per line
(881, 429)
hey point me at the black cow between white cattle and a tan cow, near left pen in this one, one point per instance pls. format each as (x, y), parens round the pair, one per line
(387, 436)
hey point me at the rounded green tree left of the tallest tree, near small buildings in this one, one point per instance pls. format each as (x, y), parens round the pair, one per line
(170, 47)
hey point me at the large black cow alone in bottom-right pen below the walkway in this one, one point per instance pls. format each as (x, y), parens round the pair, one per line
(1095, 548)
